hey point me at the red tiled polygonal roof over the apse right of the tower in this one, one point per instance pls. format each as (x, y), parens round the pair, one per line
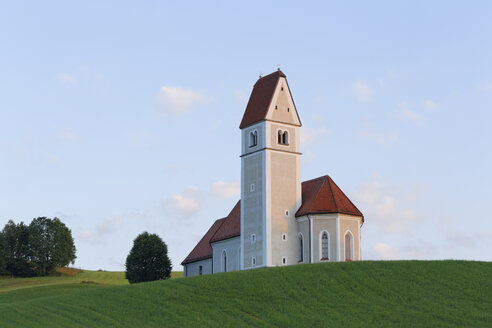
(322, 195)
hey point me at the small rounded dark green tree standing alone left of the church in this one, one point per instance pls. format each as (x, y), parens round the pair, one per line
(148, 259)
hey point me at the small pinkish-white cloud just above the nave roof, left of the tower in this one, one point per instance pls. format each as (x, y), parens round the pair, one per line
(184, 204)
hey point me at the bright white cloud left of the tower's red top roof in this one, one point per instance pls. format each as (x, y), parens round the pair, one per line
(177, 100)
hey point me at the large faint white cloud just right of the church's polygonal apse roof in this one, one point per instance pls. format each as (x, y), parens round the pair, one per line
(384, 208)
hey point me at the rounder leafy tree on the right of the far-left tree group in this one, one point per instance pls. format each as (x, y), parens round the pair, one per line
(51, 245)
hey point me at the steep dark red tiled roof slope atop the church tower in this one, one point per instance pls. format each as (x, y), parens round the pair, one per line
(260, 98)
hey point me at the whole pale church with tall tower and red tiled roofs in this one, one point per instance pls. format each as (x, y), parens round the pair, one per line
(279, 220)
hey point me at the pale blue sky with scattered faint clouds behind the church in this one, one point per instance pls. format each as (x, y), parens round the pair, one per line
(121, 117)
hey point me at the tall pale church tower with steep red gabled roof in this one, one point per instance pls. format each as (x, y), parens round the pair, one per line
(270, 176)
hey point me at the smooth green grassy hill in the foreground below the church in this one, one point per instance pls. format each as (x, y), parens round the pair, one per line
(356, 294)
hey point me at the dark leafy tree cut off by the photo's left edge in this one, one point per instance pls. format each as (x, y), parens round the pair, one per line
(17, 257)
